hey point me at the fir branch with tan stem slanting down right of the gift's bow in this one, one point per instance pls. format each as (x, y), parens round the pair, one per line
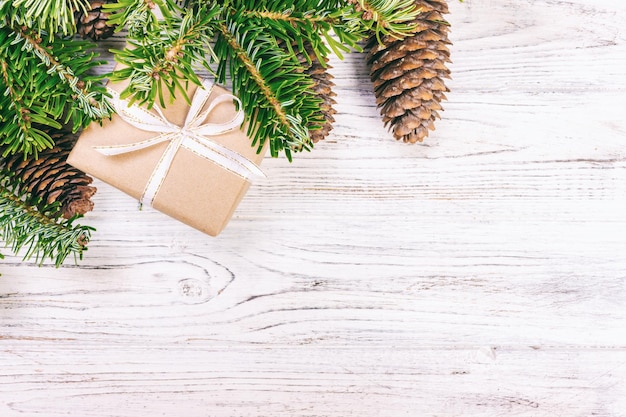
(275, 93)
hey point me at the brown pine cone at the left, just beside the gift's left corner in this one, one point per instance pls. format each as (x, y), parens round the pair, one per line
(50, 179)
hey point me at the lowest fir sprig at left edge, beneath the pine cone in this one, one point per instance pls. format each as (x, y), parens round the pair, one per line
(42, 236)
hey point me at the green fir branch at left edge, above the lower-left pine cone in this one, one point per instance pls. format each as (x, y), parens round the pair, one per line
(31, 67)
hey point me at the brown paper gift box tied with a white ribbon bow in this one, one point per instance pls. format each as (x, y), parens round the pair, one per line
(191, 162)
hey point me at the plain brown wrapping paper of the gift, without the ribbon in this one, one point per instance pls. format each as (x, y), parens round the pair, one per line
(195, 191)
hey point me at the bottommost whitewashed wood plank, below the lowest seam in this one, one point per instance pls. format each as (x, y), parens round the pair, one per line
(308, 381)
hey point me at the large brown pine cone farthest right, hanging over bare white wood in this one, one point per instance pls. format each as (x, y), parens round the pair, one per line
(408, 73)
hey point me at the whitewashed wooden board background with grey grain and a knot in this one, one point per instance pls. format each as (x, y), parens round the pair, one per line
(480, 274)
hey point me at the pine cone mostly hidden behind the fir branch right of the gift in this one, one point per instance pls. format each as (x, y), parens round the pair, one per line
(322, 87)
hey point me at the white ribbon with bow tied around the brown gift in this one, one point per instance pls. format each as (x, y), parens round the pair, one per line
(193, 135)
